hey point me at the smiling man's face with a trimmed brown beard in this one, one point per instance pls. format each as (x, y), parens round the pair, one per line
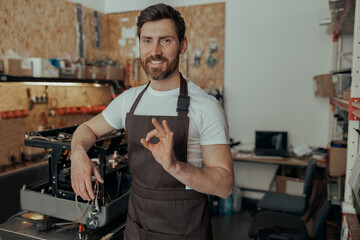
(159, 49)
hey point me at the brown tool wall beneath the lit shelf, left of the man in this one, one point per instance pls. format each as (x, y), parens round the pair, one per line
(13, 96)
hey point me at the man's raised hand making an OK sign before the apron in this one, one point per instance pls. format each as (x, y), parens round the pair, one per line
(162, 151)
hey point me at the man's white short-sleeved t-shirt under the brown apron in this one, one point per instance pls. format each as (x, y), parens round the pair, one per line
(208, 124)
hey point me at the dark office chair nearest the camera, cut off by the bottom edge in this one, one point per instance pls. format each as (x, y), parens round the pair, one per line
(281, 226)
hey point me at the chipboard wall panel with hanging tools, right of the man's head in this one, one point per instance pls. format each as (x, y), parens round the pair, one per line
(205, 23)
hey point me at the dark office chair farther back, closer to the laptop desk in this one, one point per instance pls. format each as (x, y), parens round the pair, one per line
(282, 202)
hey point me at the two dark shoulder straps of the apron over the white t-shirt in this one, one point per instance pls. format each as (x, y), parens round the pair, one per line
(183, 98)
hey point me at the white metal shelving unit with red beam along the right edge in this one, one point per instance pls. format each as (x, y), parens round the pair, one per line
(351, 15)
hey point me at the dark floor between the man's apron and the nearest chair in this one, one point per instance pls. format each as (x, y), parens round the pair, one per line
(234, 226)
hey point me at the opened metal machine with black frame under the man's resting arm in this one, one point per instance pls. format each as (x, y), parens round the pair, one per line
(56, 198)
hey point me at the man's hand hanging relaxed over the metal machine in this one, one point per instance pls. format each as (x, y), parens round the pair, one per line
(81, 171)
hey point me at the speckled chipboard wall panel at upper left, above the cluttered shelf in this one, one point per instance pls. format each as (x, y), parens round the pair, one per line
(46, 29)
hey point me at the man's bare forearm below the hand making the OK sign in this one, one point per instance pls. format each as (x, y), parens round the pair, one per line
(209, 180)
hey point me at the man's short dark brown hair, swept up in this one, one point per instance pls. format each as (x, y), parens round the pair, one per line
(162, 11)
